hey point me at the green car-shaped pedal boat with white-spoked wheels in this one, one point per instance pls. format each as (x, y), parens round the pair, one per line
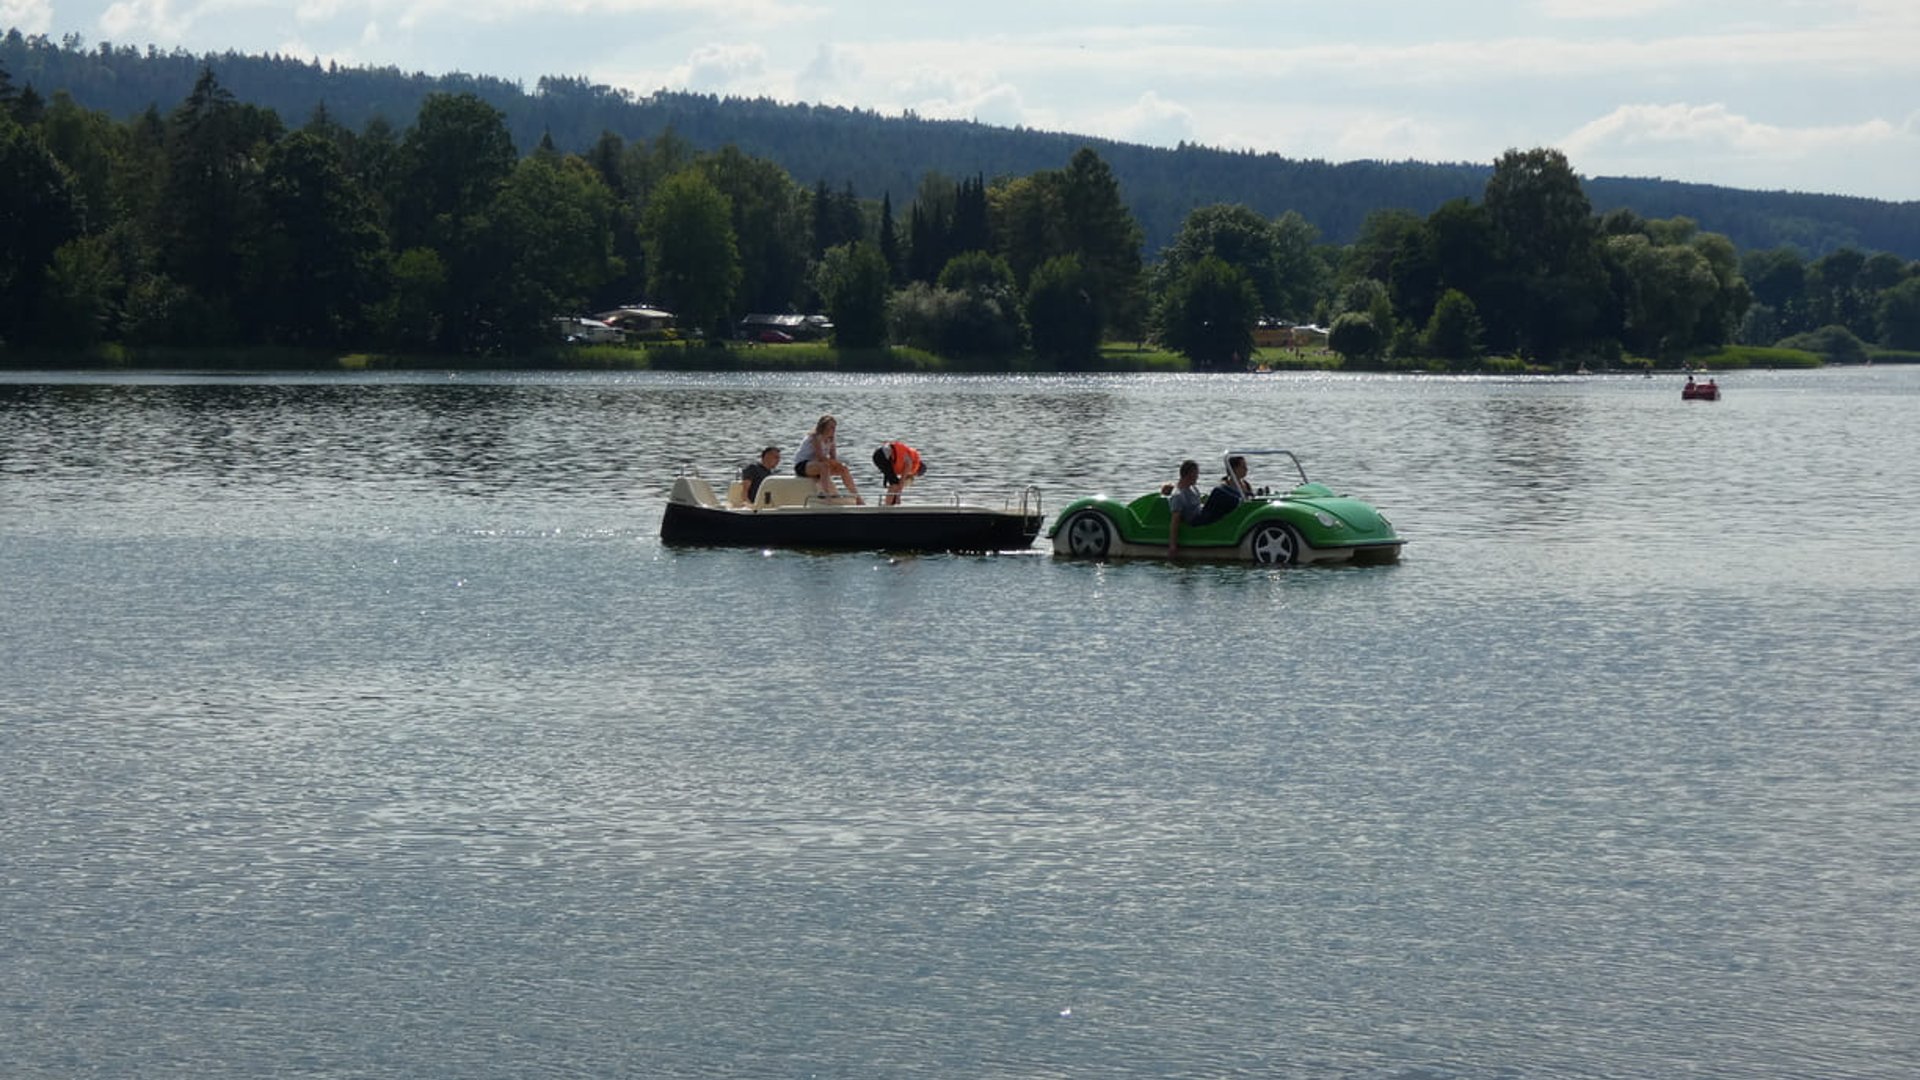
(1307, 524)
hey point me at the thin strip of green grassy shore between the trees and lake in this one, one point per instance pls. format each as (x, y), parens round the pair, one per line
(742, 356)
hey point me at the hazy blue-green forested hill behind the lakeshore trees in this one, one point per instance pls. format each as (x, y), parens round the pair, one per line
(880, 155)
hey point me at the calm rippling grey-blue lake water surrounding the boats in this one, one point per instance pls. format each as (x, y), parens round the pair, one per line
(364, 727)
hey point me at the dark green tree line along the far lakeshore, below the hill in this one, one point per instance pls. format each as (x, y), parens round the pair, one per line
(218, 226)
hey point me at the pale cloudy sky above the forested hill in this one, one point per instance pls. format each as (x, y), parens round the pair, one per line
(1769, 95)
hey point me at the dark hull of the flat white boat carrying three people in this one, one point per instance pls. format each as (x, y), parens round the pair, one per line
(859, 528)
